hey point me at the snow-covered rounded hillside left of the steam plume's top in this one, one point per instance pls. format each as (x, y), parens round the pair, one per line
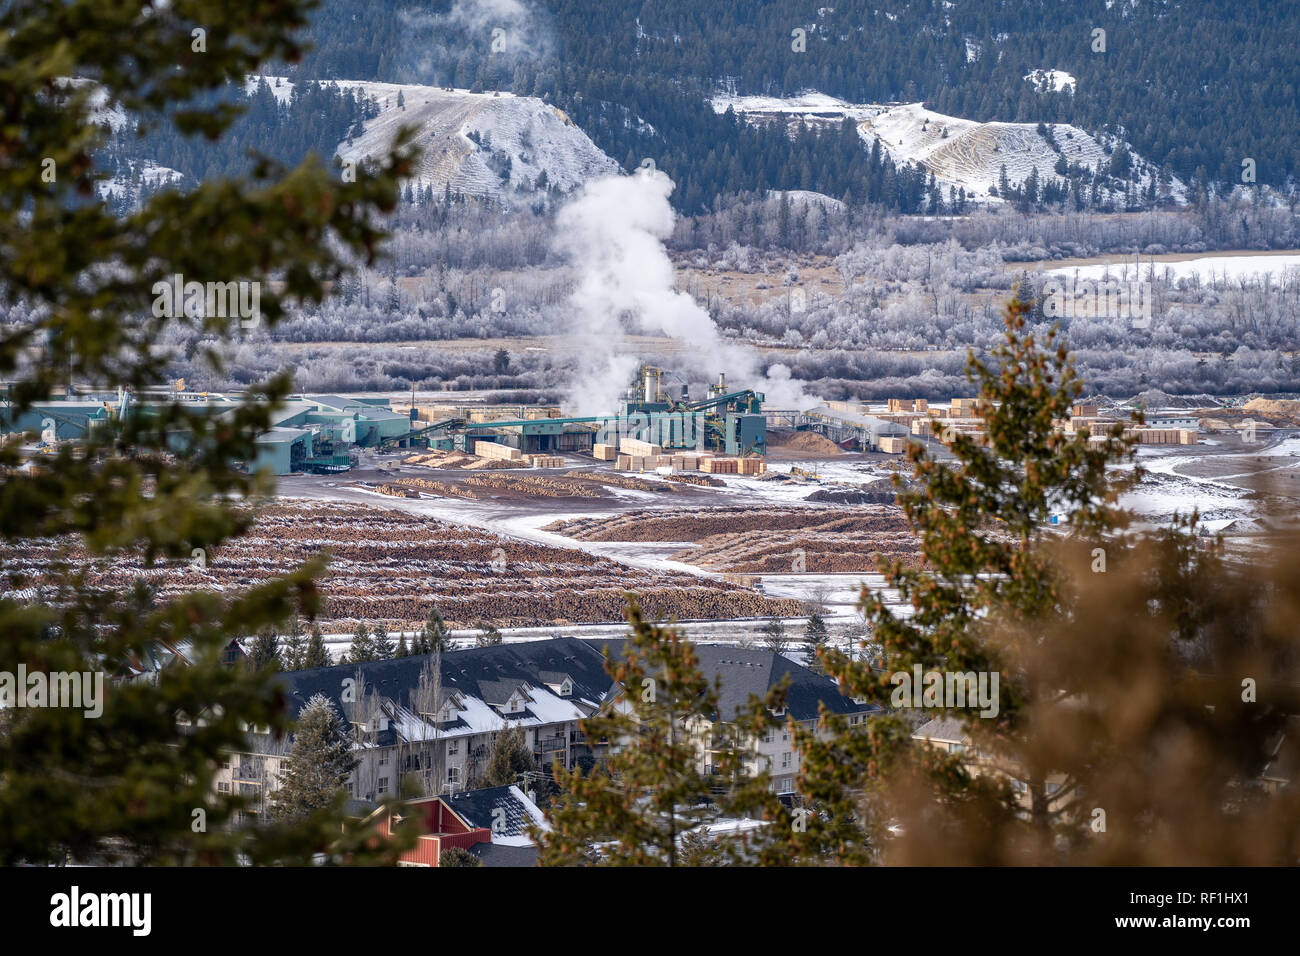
(492, 145)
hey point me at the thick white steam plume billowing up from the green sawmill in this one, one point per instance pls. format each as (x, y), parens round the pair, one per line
(613, 233)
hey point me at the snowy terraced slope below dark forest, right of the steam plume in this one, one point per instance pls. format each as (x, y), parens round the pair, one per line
(960, 153)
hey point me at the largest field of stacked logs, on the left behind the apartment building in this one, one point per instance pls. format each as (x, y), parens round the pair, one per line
(395, 566)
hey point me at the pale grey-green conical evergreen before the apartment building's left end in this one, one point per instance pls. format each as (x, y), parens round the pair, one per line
(318, 769)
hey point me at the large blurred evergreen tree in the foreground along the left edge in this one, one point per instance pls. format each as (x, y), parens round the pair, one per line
(125, 785)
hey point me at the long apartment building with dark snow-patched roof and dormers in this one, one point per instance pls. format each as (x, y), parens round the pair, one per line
(434, 717)
